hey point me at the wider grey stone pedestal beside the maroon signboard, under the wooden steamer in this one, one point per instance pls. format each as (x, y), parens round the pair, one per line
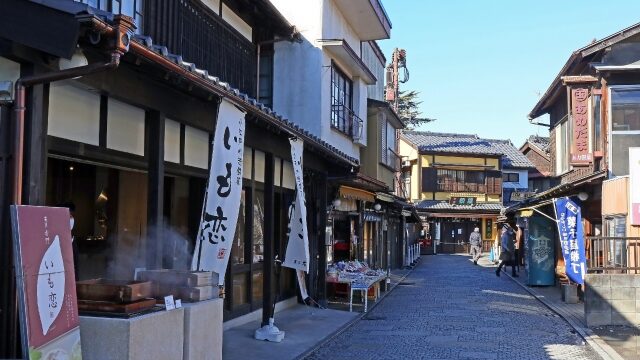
(159, 335)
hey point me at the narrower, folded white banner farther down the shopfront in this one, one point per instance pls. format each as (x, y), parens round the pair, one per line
(297, 255)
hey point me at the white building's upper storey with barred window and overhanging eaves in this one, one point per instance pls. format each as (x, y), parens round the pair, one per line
(322, 83)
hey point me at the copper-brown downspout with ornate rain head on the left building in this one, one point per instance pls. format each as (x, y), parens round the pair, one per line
(124, 26)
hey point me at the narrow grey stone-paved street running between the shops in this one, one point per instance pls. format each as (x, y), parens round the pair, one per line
(447, 308)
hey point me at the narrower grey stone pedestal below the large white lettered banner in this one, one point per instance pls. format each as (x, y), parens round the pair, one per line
(203, 330)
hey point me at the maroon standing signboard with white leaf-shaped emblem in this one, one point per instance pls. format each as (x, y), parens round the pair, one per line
(48, 306)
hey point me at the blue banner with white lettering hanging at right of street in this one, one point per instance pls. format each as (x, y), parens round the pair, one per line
(571, 232)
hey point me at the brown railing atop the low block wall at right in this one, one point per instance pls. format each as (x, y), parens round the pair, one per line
(619, 255)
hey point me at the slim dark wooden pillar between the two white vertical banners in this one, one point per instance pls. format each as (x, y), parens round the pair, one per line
(268, 284)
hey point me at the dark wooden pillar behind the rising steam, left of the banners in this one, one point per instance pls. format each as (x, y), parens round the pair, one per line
(155, 190)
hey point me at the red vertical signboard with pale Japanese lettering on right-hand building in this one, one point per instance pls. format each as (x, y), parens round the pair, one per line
(580, 154)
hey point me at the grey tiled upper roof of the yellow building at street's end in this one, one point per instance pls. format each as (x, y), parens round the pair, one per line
(468, 144)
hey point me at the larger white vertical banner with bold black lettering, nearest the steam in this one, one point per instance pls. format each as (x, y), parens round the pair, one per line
(222, 198)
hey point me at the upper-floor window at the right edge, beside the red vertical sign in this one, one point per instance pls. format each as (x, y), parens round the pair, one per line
(625, 127)
